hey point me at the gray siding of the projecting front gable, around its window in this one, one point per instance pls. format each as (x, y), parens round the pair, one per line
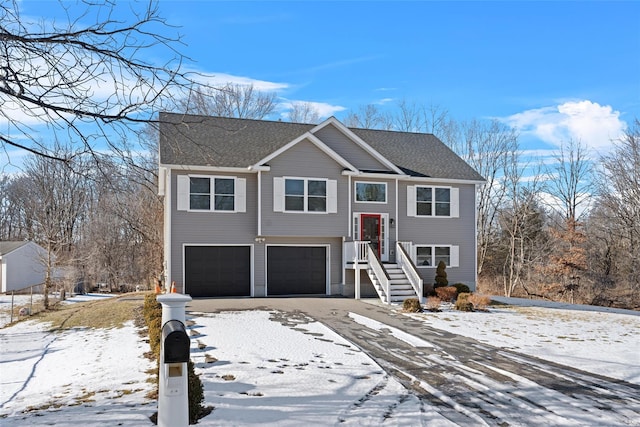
(304, 160)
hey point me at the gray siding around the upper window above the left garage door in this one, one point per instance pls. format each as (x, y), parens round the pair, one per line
(210, 228)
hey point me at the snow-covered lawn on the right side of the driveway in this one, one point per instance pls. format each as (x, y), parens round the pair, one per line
(599, 340)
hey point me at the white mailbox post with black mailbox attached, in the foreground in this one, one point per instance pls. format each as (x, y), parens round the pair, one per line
(173, 400)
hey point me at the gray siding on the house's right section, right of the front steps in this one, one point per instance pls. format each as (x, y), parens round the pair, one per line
(443, 231)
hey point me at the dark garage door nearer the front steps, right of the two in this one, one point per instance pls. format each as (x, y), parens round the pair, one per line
(295, 270)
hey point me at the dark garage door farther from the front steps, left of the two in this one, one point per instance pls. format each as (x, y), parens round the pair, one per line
(217, 271)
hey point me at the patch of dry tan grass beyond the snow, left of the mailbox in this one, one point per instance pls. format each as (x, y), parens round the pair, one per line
(107, 313)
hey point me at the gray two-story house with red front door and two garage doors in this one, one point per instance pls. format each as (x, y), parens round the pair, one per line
(264, 208)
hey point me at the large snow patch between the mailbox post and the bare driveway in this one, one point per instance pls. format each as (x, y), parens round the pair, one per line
(283, 376)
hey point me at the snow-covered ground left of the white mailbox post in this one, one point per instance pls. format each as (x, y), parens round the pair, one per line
(61, 377)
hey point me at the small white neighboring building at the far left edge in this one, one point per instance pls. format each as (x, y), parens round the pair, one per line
(21, 265)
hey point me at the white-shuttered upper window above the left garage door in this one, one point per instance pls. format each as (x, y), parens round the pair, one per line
(211, 193)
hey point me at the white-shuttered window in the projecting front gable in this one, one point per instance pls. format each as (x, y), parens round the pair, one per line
(306, 195)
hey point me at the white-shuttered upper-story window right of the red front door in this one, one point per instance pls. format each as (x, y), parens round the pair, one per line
(428, 201)
